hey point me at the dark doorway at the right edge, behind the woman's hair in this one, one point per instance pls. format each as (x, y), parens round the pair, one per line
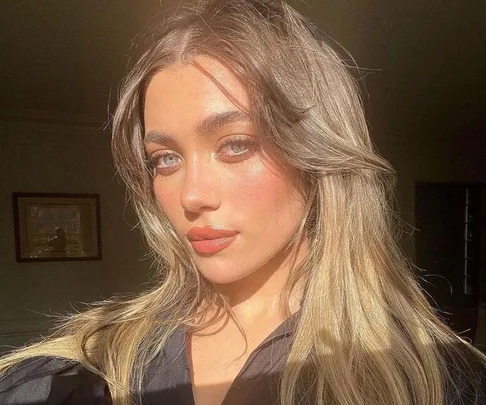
(450, 246)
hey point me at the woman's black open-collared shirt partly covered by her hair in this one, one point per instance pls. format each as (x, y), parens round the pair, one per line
(54, 381)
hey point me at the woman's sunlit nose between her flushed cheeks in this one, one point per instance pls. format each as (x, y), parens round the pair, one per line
(201, 189)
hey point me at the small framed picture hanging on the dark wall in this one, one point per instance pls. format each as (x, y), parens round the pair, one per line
(53, 227)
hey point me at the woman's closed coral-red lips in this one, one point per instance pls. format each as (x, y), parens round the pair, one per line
(208, 240)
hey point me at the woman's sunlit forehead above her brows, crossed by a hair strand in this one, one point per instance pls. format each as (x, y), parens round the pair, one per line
(180, 93)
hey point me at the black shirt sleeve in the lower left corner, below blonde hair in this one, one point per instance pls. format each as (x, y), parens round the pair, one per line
(52, 381)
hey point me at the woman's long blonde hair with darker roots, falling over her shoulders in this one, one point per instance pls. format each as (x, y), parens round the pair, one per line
(367, 334)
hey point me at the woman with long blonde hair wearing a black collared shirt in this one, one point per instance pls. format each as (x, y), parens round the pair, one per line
(242, 141)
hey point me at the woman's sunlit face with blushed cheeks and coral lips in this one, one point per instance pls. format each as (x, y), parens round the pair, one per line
(225, 198)
